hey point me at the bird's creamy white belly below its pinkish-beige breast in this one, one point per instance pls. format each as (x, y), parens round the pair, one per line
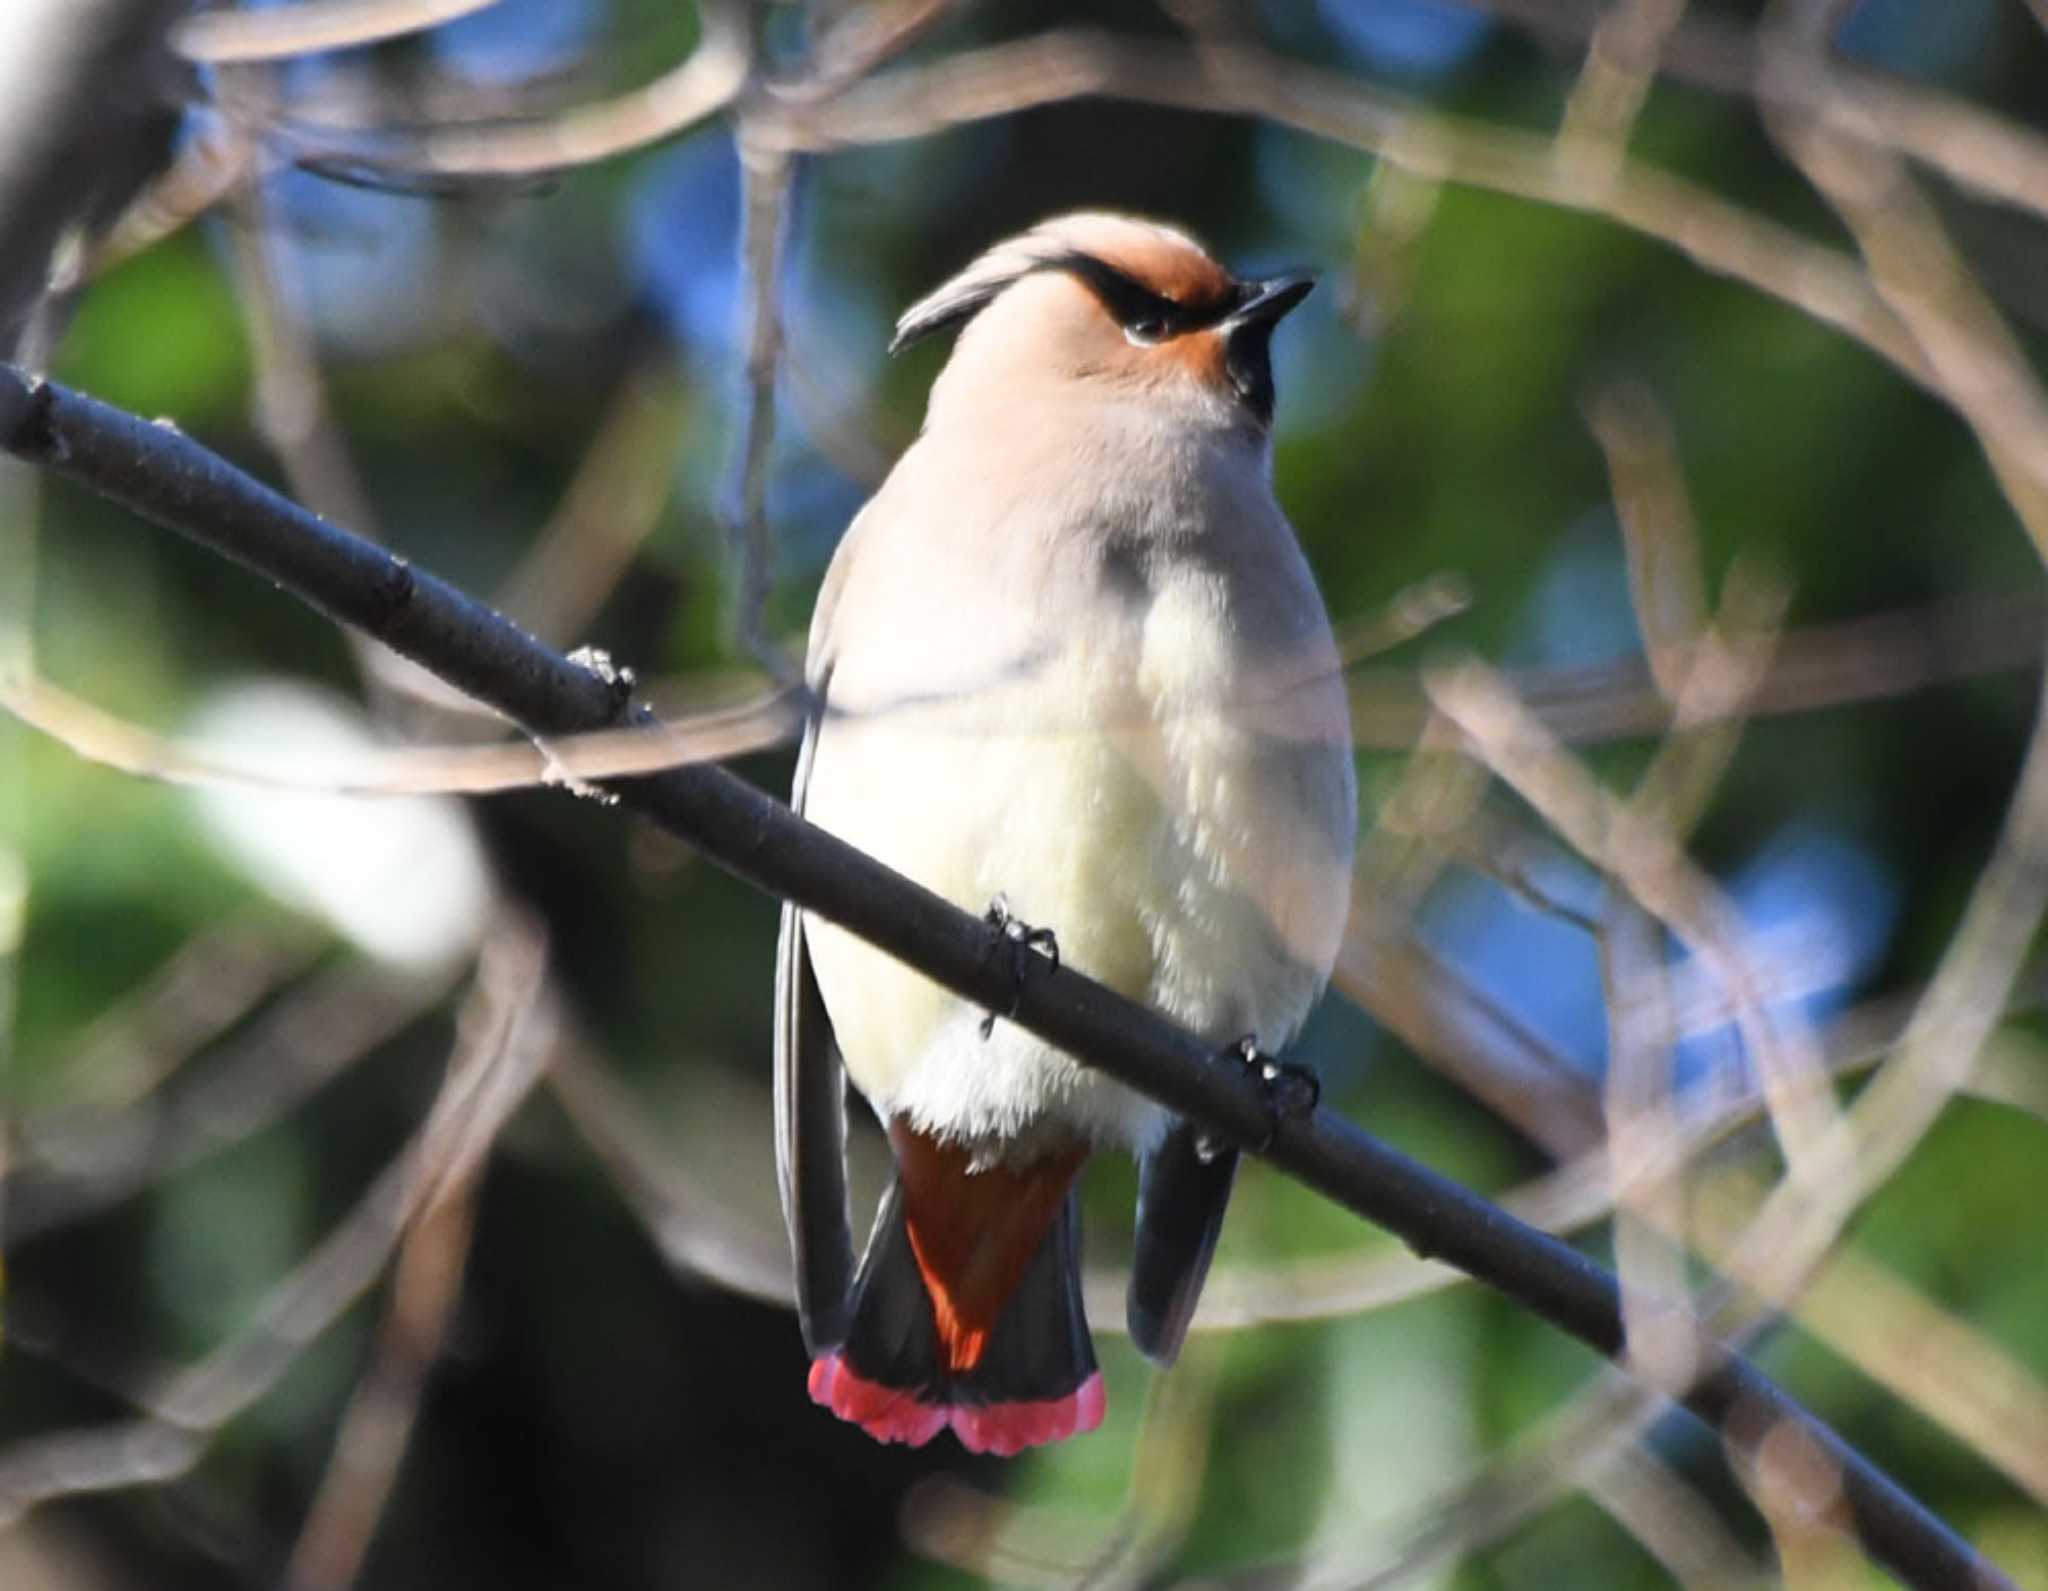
(1117, 795)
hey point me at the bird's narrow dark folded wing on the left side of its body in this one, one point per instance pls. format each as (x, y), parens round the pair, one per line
(810, 1117)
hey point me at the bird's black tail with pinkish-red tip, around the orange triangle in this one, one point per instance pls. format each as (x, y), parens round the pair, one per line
(1035, 1379)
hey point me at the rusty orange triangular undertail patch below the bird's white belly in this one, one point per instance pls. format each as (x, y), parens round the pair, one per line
(974, 1232)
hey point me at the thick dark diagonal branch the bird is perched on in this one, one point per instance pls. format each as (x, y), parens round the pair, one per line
(179, 484)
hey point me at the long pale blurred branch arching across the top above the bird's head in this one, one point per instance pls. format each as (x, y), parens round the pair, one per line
(1232, 79)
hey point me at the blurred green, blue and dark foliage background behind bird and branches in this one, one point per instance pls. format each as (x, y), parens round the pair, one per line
(232, 1010)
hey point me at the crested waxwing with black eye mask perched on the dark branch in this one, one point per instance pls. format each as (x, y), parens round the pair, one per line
(1070, 669)
